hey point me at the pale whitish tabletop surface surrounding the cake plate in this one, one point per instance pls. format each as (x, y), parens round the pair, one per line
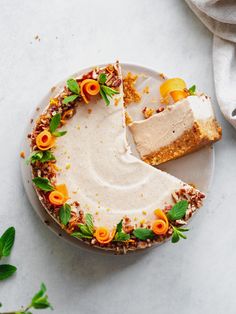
(194, 276)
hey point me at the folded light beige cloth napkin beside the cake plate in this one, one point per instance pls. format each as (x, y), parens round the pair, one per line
(219, 16)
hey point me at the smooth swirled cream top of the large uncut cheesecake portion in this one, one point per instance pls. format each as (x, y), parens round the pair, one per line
(101, 174)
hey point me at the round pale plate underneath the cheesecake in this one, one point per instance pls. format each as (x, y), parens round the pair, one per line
(196, 168)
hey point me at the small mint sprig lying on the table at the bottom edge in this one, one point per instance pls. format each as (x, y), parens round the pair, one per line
(39, 301)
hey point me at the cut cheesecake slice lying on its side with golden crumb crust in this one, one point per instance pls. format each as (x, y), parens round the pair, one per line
(178, 129)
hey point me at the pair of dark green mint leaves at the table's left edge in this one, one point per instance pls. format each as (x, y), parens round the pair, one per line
(6, 243)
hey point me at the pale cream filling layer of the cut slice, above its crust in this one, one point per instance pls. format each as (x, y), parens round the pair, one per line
(165, 127)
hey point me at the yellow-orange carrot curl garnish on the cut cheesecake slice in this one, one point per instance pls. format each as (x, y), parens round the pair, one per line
(175, 87)
